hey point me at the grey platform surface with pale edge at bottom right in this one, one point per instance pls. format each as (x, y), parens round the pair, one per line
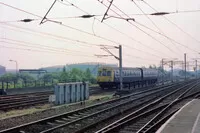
(186, 120)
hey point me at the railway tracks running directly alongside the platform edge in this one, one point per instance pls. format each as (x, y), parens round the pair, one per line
(150, 117)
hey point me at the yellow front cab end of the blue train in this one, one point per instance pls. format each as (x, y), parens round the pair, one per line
(105, 77)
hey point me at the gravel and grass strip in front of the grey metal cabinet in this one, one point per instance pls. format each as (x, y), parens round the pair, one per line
(18, 120)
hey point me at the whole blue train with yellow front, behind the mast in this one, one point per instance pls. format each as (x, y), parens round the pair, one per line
(109, 77)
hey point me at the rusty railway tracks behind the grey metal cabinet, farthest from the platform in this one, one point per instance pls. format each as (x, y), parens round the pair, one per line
(30, 99)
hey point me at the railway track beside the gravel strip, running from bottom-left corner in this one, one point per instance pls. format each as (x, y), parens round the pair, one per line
(74, 120)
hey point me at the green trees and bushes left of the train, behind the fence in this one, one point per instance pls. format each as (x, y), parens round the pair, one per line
(26, 80)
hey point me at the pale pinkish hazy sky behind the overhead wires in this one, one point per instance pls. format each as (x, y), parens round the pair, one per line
(35, 46)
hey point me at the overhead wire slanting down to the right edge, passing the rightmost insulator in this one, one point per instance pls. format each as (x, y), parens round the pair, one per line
(173, 22)
